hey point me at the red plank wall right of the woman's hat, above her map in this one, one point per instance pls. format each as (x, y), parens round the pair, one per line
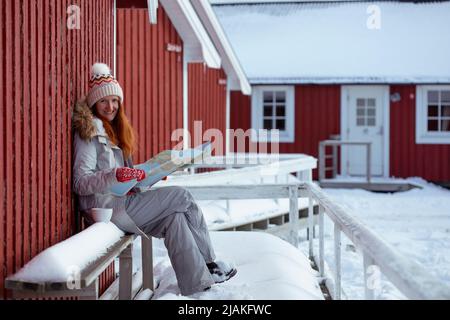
(152, 78)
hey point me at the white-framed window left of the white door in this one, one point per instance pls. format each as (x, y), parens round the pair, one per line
(273, 108)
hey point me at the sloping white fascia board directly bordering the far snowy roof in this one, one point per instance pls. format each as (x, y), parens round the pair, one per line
(236, 75)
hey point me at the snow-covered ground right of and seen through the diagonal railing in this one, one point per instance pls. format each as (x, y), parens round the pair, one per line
(416, 222)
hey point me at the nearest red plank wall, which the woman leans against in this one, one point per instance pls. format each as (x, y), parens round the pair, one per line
(44, 69)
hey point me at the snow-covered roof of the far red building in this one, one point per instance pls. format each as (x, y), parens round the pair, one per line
(325, 42)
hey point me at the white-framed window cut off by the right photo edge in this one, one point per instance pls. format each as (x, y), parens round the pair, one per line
(433, 115)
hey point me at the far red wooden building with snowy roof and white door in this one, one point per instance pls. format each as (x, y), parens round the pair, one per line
(362, 71)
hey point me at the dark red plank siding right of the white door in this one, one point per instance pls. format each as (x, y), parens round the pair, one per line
(431, 162)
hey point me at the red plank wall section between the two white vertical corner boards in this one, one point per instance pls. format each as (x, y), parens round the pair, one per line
(207, 103)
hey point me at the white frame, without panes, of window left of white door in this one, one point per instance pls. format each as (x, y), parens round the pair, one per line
(259, 134)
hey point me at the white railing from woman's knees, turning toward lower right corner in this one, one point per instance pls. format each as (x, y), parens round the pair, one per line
(411, 278)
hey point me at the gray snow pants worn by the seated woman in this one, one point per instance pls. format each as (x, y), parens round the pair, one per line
(171, 213)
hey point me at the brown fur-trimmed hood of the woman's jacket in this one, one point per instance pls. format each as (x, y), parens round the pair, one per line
(85, 123)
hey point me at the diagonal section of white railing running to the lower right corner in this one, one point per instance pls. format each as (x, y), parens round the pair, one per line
(411, 278)
